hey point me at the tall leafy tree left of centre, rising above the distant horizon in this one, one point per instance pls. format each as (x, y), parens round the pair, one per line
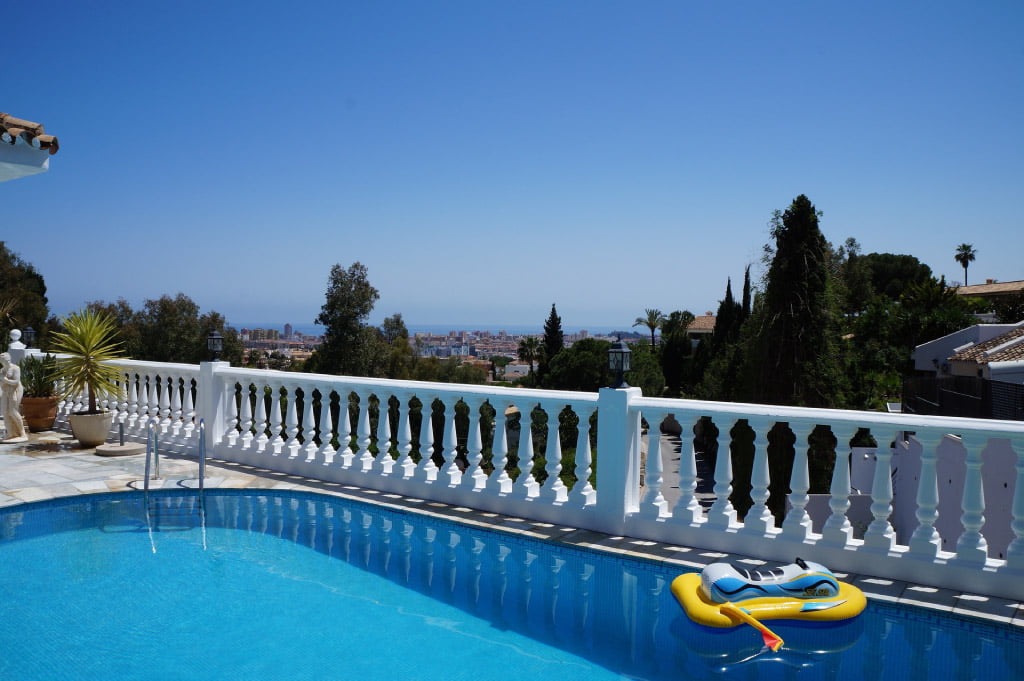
(350, 301)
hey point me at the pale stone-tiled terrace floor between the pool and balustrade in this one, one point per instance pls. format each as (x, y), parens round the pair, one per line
(53, 465)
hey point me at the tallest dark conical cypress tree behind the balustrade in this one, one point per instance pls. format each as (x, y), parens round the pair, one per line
(793, 356)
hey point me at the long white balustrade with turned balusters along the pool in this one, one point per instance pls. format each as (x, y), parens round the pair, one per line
(255, 417)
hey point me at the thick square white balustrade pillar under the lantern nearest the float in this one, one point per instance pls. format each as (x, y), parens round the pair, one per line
(618, 458)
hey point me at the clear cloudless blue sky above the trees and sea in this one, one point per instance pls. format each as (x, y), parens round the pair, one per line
(487, 159)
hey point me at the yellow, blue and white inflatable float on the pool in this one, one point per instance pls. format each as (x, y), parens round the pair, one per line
(723, 595)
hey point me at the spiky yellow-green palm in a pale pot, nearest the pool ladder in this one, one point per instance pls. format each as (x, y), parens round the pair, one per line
(89, 343)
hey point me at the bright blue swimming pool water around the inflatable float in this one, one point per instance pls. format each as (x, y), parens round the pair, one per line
(291, 586)
